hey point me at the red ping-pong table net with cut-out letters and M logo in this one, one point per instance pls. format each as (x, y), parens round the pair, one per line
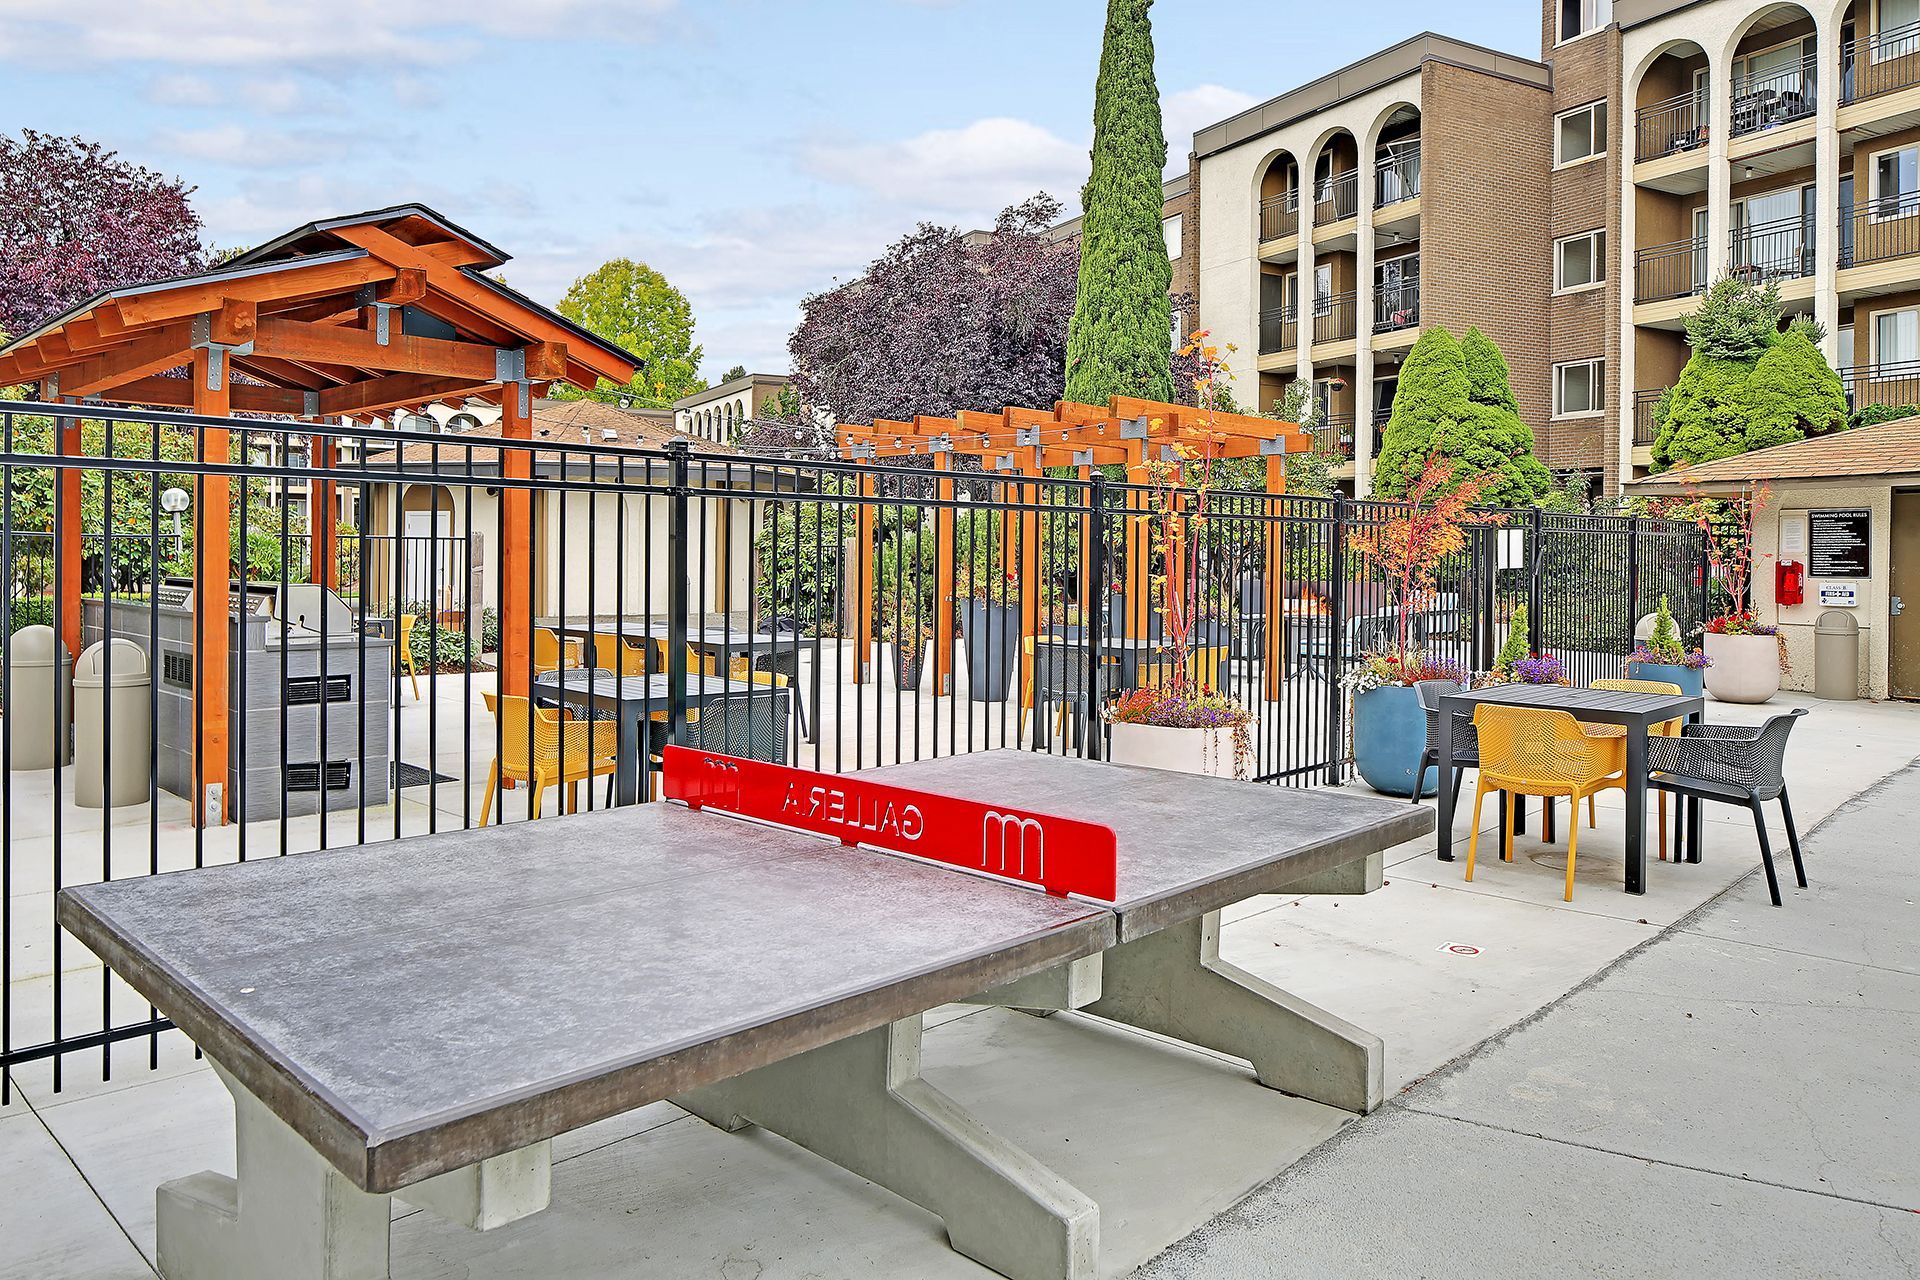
(1059, 855)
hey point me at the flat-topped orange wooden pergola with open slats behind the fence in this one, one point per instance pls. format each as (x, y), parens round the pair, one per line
(1026, 442)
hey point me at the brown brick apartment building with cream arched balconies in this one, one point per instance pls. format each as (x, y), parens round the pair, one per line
(1573, 208)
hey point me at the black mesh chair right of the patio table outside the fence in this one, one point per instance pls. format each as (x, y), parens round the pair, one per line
(1733, 765)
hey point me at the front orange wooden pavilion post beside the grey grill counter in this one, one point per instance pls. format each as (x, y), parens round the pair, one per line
(212, 596)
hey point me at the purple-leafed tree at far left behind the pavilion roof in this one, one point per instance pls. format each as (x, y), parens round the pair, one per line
(78, 220)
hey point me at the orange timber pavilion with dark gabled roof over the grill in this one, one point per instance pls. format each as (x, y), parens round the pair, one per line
(345, 320)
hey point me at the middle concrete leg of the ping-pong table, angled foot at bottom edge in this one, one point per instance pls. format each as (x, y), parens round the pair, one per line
(863, 1106)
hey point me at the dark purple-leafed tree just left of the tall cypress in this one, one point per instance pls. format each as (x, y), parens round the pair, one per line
(940, 325)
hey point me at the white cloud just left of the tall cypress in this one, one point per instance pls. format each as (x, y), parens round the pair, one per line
(974, 170)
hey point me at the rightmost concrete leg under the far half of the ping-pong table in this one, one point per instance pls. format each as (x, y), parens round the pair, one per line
(1176, 984)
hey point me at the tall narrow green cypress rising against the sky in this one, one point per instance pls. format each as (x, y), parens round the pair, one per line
(1120, 341)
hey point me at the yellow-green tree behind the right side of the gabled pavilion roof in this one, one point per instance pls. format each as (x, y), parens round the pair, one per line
(633, 306)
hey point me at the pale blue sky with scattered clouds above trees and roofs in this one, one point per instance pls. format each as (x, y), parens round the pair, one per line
(754, 151)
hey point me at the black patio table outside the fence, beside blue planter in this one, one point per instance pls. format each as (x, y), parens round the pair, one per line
(1637, 713)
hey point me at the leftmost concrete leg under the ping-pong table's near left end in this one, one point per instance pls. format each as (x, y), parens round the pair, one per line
(289, 1214)
